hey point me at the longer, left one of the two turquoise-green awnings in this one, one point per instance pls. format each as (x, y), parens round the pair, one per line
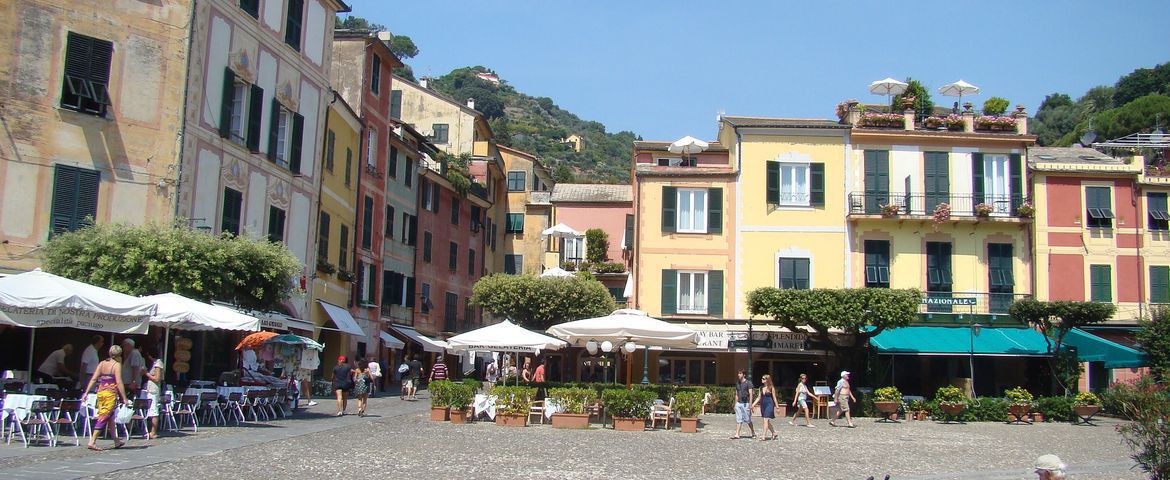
(992, 341)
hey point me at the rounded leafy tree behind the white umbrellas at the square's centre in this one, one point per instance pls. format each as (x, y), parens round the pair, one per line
(541, 303)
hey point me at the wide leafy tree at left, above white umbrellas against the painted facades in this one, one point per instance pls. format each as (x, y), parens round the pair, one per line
(154, 259)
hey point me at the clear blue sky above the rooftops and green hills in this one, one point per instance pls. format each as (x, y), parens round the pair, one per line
(665, 70)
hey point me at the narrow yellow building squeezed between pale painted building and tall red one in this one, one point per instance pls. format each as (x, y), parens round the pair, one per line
(336, 210)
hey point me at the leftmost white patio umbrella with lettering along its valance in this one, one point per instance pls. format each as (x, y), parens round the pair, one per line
(40, 300)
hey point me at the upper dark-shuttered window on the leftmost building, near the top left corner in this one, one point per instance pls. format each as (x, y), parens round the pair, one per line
(87, 77)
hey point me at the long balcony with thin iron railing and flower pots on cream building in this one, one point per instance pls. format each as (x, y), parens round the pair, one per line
(924, 207)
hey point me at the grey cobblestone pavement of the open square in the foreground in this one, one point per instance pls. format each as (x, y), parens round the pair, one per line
(316, 445)
